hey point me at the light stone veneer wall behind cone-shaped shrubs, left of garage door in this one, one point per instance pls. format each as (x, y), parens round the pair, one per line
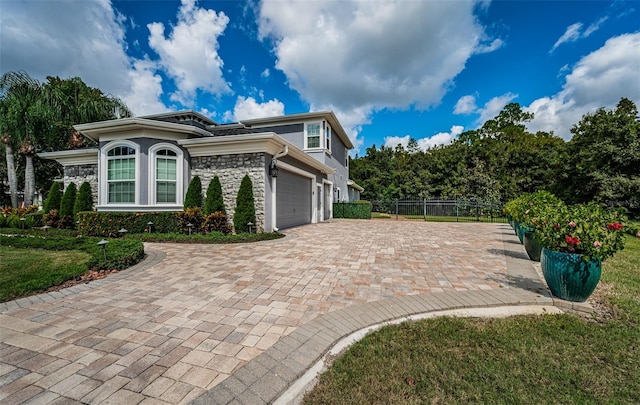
(231, 169)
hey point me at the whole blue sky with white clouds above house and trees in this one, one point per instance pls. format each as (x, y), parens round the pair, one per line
(390, 70)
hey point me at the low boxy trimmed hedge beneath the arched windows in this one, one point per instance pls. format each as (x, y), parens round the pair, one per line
(107, 224)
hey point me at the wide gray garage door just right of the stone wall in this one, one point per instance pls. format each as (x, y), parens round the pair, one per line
(293, 200)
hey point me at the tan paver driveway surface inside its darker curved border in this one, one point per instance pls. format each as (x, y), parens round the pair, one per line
(169, 332)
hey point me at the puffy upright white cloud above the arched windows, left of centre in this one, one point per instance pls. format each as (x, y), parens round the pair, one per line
(189, 54)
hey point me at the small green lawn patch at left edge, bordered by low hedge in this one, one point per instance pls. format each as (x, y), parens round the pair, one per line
(24, 271)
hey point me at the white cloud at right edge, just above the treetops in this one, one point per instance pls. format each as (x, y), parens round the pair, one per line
(599, 79)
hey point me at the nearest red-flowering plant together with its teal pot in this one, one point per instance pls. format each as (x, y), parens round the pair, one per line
(575, 241)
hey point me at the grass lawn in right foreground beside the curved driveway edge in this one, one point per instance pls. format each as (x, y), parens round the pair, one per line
(523, 359)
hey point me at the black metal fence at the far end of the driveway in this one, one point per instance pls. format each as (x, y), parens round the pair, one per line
(438, 210)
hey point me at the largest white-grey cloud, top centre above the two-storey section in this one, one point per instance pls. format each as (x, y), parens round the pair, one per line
(344, 54)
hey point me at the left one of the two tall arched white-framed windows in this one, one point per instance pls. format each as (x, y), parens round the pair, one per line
(121, 175)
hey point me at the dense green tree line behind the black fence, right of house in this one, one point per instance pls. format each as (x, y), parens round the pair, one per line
(501, 160)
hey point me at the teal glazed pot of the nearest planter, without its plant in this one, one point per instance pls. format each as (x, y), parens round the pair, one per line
(569, 276)
